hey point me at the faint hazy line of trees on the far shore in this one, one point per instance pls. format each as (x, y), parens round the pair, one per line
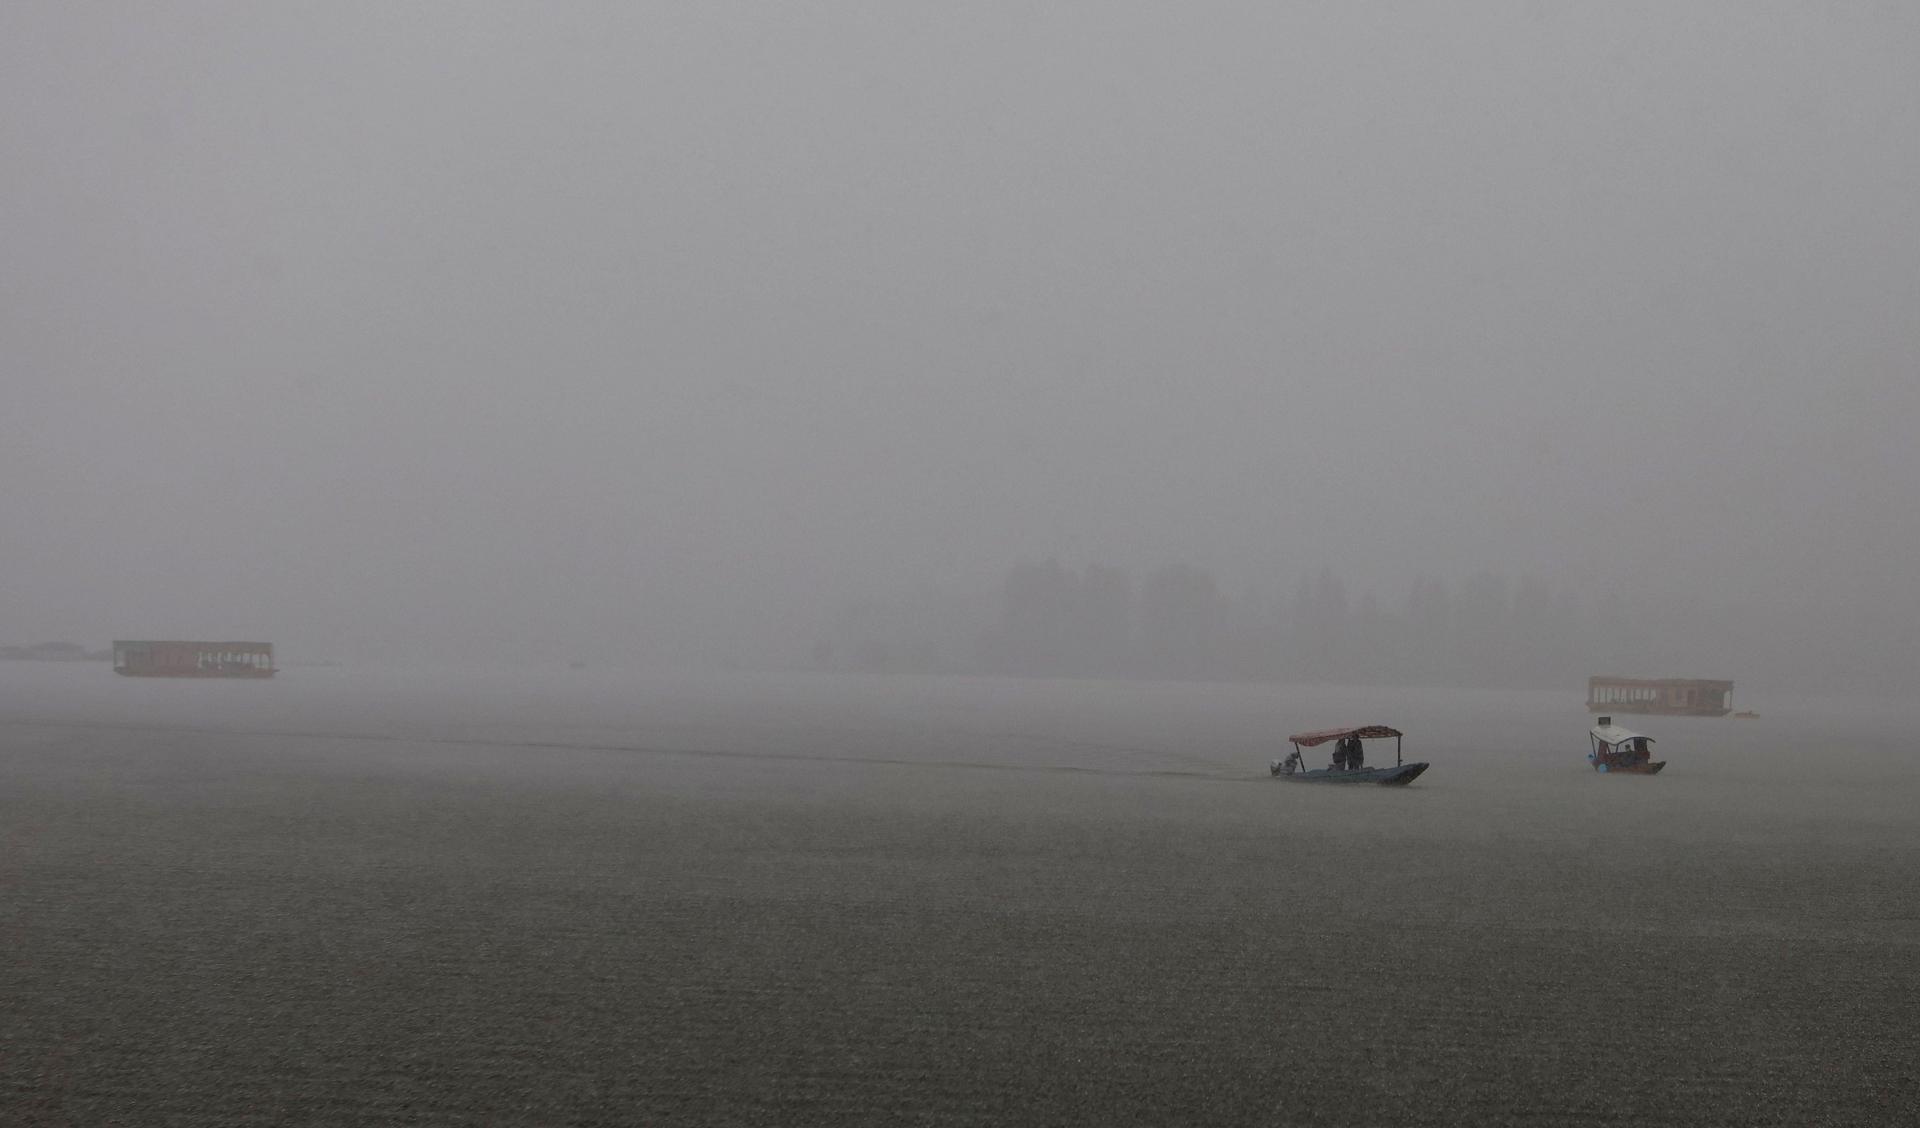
(1176, 623)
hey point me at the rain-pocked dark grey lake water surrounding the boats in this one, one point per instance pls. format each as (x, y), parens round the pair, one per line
(600, 897)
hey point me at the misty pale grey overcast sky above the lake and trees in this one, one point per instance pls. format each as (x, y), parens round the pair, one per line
(366, 325)
